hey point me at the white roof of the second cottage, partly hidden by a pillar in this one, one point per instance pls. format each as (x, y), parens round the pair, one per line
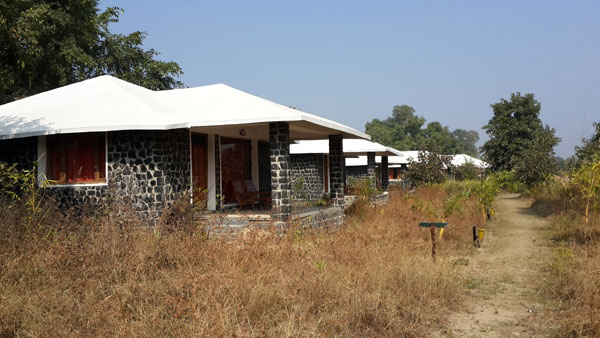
(352, 147)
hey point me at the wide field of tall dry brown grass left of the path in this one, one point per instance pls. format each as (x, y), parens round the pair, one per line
(105, 276)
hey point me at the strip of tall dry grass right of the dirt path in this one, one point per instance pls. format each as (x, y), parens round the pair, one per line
(574, 266)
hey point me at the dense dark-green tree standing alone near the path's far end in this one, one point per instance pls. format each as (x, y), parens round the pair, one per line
(518, 138)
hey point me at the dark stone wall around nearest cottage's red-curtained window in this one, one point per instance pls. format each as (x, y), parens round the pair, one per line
(147, 171)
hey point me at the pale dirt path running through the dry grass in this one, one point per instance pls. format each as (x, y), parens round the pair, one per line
(502, 279)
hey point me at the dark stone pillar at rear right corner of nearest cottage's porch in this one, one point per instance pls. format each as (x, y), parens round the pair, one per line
(336, 169)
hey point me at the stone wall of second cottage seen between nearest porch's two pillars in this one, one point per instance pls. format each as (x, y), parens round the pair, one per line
(309, 168)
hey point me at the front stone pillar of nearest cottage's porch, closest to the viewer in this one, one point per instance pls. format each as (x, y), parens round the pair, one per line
(279, 148)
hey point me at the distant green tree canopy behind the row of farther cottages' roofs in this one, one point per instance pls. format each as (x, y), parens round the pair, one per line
(404, 131)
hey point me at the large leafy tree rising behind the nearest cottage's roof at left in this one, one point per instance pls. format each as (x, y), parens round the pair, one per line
(48, 44)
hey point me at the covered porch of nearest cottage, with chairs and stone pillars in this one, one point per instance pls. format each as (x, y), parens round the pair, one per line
(240, 163)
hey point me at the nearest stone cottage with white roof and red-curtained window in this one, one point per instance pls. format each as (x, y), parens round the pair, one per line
(149, 147)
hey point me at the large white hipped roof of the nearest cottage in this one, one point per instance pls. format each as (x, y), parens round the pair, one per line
(106, 103)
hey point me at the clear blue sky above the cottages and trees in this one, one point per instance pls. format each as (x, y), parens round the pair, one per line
(352, 61)
